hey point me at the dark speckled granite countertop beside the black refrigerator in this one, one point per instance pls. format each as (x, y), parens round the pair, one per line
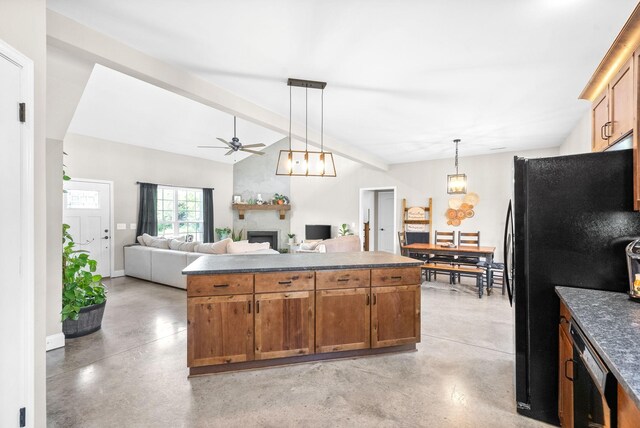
(611, 322)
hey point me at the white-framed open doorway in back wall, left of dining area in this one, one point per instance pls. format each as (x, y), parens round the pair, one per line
(378, 206)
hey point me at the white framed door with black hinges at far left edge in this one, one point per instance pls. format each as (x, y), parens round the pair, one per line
(16, 247)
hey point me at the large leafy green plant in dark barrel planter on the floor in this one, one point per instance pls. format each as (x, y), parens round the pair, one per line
(83, 293)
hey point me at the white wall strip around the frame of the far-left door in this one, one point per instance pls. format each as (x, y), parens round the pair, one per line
(23, 26)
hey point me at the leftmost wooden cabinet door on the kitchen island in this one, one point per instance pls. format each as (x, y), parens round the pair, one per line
(220, 330)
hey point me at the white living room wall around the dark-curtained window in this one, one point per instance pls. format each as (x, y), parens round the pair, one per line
(125, 164)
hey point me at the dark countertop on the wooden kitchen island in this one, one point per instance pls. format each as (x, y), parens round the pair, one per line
(228, 263)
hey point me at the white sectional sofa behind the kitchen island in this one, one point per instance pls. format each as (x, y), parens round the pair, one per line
(165, 266)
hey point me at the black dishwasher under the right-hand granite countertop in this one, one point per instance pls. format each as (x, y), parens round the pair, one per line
(595, 393)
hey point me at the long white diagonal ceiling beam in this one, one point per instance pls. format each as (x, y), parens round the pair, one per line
(91, 45)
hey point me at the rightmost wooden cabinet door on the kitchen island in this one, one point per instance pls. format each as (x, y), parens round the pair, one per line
(395, 315)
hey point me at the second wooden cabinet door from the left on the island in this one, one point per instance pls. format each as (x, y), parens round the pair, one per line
(284, 324)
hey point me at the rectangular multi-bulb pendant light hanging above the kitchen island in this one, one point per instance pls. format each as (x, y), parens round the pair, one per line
(307, 163)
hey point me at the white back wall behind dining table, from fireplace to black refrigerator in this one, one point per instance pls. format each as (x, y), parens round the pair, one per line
(335, 200)
